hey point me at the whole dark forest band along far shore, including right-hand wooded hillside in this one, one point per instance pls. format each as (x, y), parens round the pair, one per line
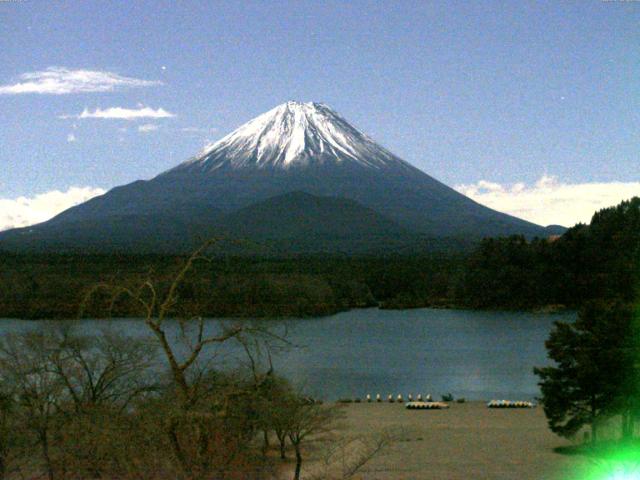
(587, 262)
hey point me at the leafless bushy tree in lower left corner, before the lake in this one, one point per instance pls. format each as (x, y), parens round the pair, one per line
(62, 386)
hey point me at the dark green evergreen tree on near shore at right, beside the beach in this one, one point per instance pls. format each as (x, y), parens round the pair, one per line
(595, 372)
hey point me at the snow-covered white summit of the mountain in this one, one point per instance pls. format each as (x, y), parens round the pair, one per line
(292, 135)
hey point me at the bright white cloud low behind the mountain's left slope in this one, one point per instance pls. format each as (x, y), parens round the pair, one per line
(25, 211)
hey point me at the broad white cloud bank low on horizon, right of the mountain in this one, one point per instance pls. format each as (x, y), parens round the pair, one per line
(550, 201)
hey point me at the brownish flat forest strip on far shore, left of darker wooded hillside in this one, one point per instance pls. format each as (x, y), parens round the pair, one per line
(51, 286)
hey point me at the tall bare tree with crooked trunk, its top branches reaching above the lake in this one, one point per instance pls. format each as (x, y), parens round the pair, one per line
(194, 422)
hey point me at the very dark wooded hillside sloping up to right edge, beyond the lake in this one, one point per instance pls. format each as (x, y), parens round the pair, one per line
(588, 262)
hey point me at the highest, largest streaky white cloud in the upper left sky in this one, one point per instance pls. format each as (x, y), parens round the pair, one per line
(60, 81)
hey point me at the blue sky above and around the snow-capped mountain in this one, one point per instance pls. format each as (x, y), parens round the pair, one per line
(505, 93)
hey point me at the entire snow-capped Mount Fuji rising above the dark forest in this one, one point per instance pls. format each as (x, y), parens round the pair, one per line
(297, 178)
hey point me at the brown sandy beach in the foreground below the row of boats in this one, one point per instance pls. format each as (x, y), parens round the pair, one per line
(467, 441)
